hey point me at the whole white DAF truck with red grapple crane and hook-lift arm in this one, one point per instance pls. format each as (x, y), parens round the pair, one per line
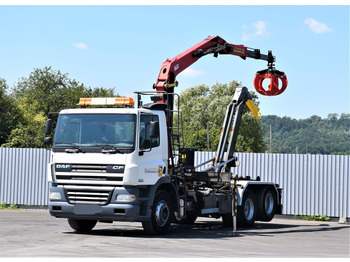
(114, 160)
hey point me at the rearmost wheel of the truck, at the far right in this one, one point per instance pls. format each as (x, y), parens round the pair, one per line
(267, 204)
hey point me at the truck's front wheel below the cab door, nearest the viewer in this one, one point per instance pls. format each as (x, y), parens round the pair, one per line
(161, 215)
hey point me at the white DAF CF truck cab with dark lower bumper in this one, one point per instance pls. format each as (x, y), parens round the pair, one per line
(105, 164)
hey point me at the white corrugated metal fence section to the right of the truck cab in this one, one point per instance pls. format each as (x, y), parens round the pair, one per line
(312, 184)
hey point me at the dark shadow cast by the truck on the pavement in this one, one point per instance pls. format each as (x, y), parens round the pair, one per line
(212, 230)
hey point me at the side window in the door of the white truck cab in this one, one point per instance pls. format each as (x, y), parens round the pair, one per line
(145, 140)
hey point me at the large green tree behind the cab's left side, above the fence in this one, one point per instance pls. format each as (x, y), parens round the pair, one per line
(44, 91)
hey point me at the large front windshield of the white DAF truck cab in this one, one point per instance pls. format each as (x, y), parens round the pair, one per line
(95, 130)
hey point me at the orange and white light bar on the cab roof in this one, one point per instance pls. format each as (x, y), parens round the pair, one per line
(103, 101)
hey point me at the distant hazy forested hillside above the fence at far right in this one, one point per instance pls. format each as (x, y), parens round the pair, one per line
(313, 135)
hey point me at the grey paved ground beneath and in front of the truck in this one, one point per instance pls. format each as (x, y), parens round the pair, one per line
(34, 233)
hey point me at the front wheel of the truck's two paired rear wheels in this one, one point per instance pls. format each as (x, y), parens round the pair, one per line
(247, 212)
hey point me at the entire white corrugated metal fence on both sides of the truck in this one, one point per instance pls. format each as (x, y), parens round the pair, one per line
(312, 184)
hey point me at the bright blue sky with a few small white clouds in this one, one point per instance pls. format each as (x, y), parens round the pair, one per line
(123, 47)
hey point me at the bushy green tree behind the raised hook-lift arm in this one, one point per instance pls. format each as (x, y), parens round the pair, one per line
(203, 110)
